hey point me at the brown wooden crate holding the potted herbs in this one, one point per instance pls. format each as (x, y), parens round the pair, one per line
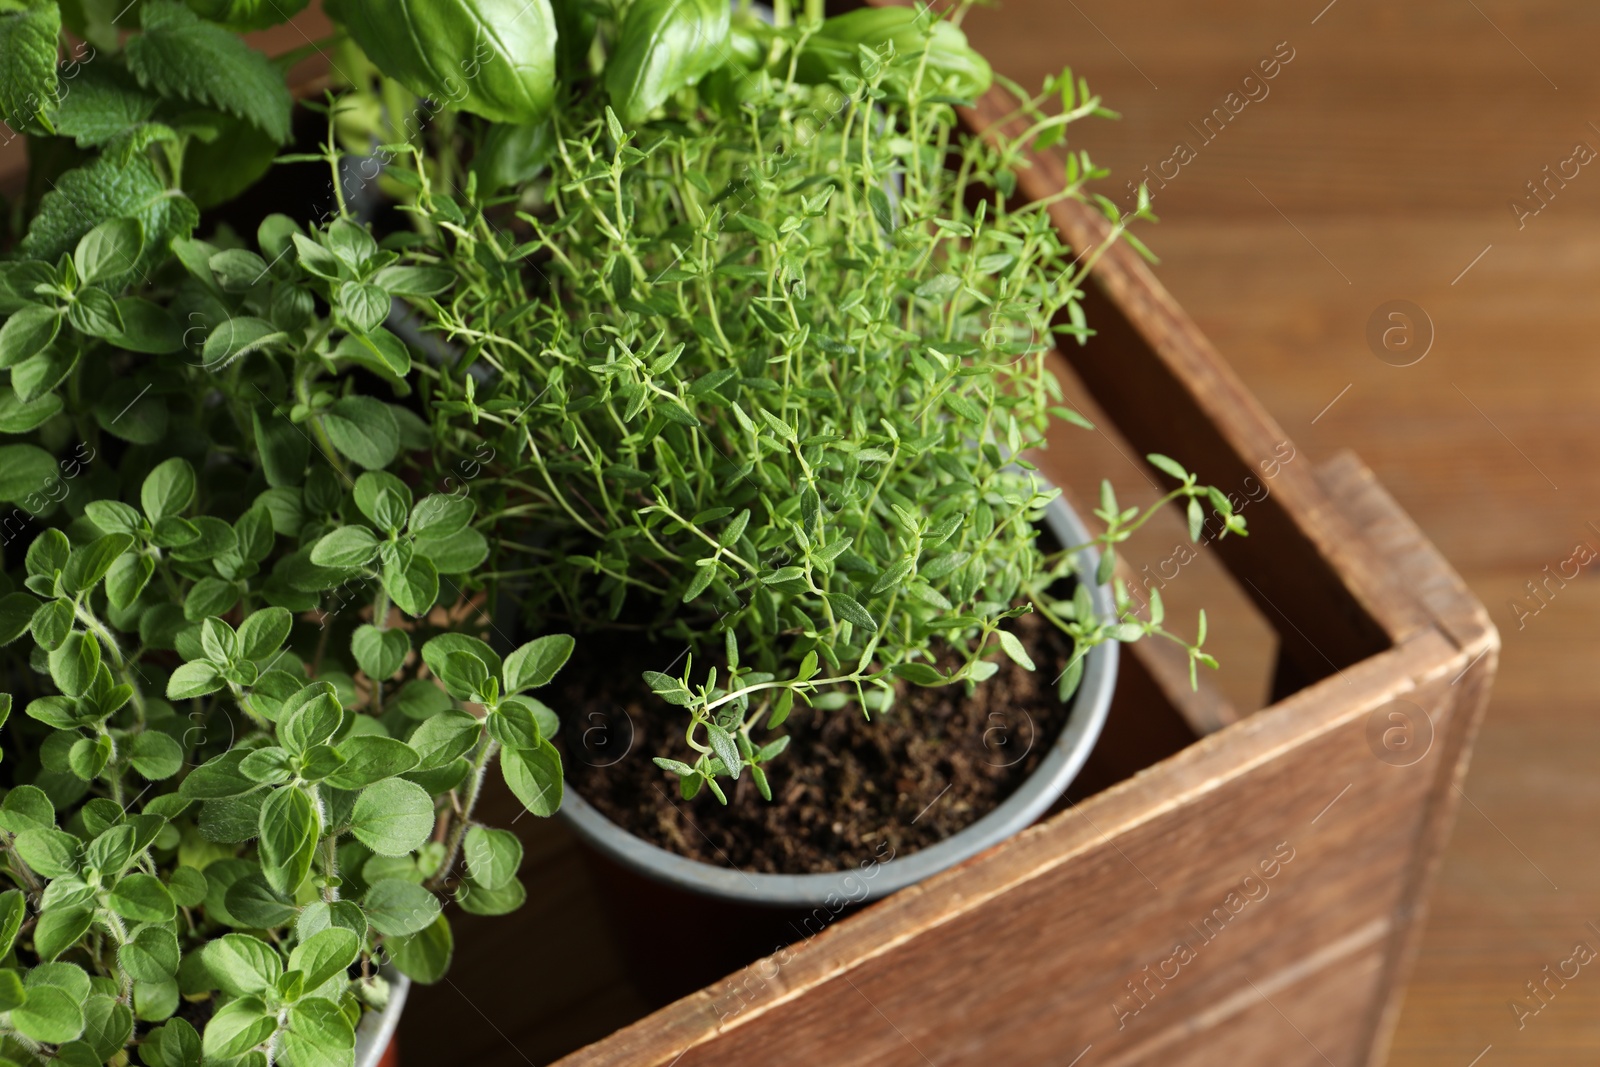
(1222, 889)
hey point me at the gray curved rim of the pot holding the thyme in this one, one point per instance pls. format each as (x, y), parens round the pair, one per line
(1022, 809)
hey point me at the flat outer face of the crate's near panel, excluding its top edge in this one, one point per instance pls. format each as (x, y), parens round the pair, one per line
(1145, 935)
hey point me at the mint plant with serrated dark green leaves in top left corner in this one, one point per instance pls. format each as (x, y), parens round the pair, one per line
(177, 118)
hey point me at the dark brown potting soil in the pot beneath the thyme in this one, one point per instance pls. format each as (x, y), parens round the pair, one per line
(846, 793)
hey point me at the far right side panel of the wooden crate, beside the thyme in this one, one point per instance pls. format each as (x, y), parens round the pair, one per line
(1169, 391)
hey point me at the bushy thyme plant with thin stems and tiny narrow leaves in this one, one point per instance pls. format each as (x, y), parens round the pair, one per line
(770, 369)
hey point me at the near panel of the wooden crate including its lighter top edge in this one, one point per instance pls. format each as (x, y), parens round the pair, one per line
(1025, 949)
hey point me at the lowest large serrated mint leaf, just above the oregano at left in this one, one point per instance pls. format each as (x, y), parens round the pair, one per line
(108, 190)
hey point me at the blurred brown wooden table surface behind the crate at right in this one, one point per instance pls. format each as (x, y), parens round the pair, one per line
(1380, 166)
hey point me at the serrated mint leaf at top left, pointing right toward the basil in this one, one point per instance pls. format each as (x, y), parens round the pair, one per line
(182, 57)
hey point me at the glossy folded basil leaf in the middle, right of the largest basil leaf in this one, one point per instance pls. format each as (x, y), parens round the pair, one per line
(665, 46)
